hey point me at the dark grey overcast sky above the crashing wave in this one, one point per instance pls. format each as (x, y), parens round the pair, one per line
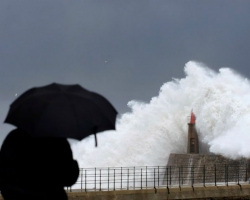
(124, 50)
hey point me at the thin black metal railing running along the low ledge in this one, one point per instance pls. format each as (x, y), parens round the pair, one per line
(134, 178)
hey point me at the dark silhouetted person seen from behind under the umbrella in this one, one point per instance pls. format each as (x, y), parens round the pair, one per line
(36, 167)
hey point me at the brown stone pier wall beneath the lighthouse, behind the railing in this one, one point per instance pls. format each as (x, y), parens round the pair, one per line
(199, 168)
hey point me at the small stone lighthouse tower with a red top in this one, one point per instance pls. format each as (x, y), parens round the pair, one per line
(193, 142)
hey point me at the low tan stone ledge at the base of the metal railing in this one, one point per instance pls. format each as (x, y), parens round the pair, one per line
(212, 192)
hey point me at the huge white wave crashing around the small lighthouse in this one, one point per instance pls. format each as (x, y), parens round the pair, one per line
(151, 131)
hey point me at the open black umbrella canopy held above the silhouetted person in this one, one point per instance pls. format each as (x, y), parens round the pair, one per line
(62, 111)
